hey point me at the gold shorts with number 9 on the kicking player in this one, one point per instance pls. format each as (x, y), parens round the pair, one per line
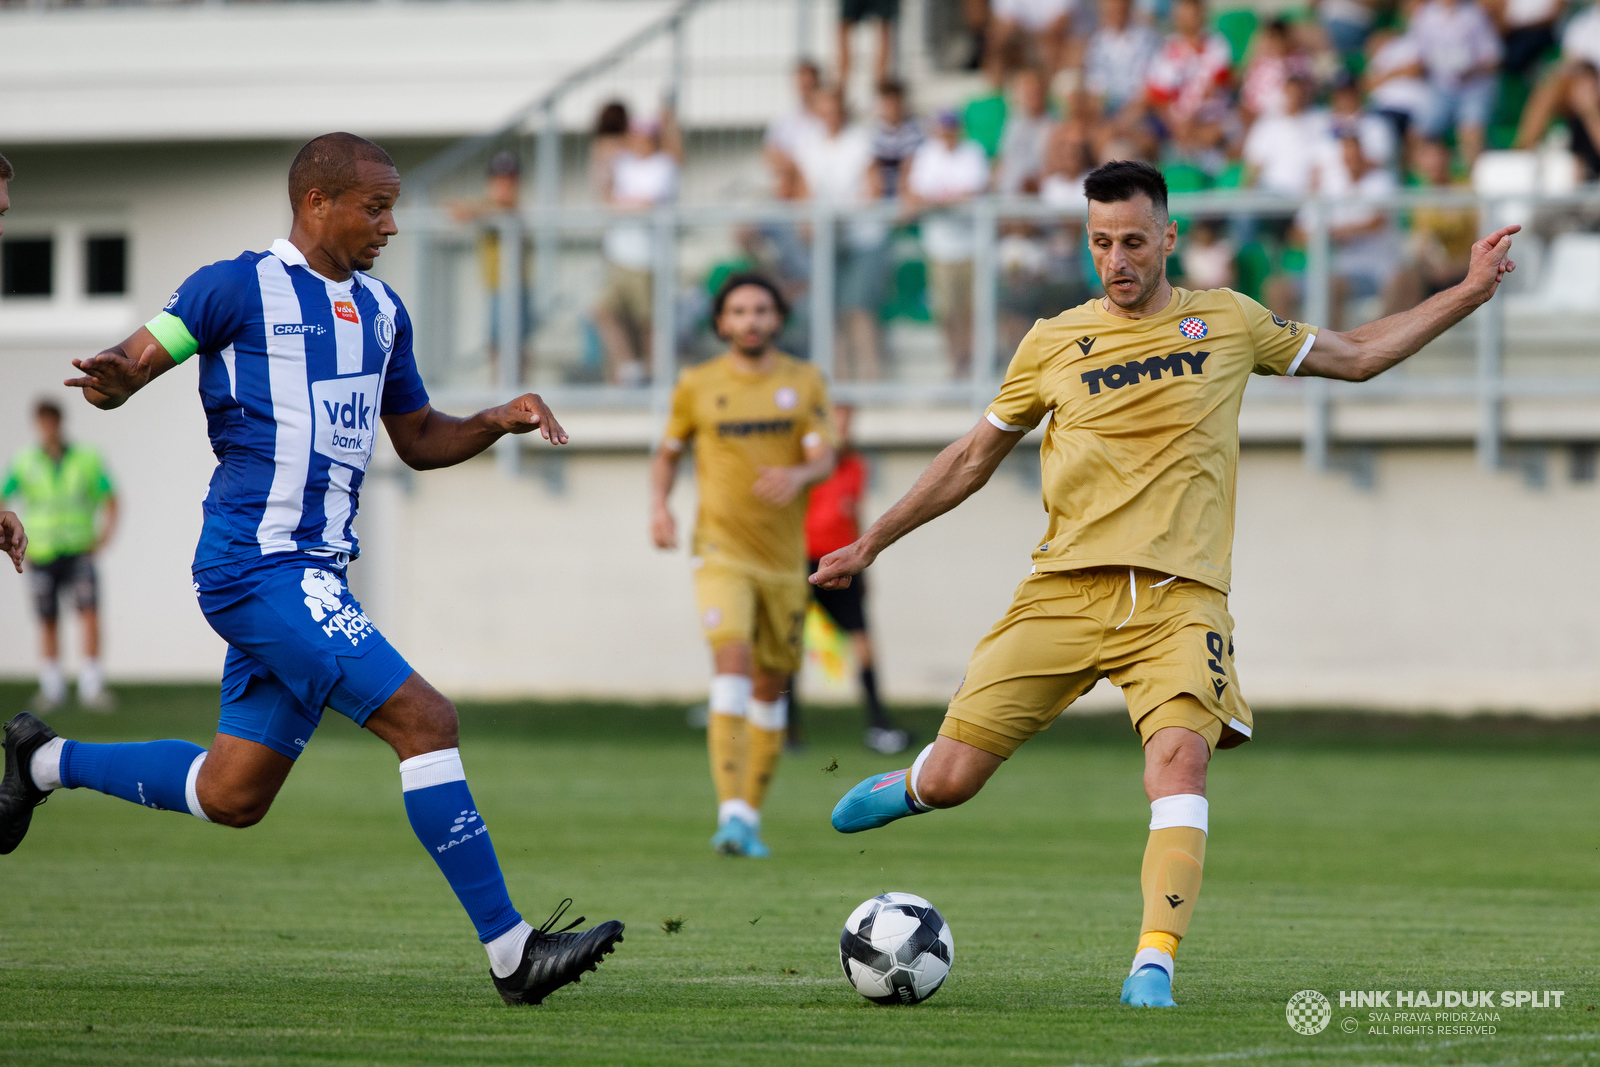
(1070, 629)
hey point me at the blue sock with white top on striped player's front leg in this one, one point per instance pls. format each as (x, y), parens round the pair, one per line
(446, 820)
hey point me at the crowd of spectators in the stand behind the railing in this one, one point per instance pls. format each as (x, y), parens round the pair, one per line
(1350, 98)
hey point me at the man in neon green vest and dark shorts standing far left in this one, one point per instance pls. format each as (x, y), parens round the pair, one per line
(71, 511)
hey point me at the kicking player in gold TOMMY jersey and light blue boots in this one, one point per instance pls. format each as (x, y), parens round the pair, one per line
(1130, 580)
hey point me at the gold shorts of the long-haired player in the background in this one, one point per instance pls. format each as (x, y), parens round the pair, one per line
(746, 604)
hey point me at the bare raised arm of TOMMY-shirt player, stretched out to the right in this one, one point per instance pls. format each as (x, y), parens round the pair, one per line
(1369, 351)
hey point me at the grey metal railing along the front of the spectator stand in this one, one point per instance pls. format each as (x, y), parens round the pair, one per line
(574, 236)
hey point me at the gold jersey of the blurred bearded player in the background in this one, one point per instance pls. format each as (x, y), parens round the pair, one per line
(743, 423)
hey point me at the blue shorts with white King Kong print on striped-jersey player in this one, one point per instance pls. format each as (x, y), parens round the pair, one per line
(298, 642)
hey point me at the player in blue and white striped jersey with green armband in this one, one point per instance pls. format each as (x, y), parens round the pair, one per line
(302, 358)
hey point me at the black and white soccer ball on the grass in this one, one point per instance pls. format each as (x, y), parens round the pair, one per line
(897, 949)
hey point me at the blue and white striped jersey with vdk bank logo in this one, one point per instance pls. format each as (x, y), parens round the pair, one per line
(295, 372)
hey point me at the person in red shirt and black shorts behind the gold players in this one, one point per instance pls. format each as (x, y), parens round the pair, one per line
(833, 521)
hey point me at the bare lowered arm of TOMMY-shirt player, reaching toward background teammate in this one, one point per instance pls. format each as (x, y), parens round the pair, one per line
(956, 474)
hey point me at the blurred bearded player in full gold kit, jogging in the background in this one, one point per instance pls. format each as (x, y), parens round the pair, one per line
(762, 436)
